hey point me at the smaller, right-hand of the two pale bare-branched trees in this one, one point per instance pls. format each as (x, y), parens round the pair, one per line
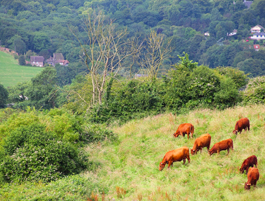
(154, 53)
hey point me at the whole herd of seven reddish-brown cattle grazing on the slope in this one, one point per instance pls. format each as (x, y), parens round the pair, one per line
(205, 141)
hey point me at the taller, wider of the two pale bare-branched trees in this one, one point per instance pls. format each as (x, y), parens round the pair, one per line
(105, 51)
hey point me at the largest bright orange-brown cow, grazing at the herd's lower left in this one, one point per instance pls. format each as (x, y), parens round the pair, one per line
(175, 155)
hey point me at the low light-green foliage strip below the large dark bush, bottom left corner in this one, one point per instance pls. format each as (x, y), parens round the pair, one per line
(75, 187)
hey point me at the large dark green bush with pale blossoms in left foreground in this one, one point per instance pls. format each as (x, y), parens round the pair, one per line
(33, 154)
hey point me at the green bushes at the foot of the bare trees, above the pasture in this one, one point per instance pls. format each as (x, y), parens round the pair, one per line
(135, 96)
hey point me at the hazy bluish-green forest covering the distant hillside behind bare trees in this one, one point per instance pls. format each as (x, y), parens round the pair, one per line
(47, 26)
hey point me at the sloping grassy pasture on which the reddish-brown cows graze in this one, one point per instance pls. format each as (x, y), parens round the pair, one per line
(129, 168)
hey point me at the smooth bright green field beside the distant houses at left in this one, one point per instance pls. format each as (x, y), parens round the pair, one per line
(11, 73)
